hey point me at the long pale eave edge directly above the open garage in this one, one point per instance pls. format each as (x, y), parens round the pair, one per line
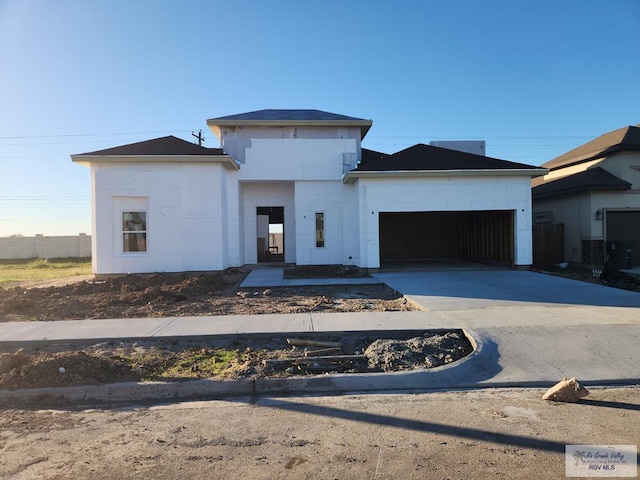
(353, 175)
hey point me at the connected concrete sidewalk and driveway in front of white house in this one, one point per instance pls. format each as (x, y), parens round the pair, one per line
(531, 330)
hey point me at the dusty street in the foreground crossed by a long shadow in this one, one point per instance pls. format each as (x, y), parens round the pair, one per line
(462, 434)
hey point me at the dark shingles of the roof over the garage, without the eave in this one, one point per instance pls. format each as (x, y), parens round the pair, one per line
(428, 157)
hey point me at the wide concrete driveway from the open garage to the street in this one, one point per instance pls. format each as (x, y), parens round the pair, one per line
(534, 328)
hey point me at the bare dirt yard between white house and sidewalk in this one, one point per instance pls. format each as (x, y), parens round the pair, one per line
(162, 295)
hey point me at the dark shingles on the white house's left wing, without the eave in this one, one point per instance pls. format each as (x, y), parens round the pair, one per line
(169, 145)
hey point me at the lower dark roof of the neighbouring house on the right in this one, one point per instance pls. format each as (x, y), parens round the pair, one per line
(593, 179)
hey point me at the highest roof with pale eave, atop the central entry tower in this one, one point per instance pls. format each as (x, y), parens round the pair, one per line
(289, 118)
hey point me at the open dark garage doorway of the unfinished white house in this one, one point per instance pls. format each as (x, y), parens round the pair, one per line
(469, 235)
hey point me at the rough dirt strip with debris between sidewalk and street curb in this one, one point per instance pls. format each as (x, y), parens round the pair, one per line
(228, 358)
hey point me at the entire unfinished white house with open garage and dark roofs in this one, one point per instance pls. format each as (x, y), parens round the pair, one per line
(170, 205)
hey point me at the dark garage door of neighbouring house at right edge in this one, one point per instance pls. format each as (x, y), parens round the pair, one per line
(623, 238)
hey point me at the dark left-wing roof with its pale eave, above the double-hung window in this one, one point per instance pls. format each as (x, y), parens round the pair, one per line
(164, 149)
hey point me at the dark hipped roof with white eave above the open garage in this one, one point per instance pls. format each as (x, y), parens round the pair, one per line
(437, 161)
